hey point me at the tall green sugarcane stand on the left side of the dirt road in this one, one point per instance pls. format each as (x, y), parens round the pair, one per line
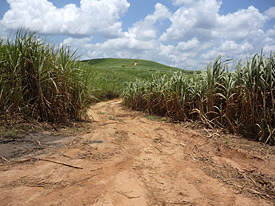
(40, 82)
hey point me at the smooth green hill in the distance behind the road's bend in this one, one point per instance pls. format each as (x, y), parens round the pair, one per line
(108, 76)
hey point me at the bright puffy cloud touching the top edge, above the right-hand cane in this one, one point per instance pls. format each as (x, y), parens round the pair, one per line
(202, 19)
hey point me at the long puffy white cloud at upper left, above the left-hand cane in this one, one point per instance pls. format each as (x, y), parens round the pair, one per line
(91, 17)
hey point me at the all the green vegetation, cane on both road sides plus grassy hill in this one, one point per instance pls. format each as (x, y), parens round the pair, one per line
(39, 81)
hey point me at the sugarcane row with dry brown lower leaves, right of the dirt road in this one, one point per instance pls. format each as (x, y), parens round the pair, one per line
(241, 100)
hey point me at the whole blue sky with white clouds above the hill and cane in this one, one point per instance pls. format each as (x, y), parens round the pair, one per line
(187, 34)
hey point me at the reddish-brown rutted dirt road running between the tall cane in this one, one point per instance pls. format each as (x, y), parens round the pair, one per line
(126, 159)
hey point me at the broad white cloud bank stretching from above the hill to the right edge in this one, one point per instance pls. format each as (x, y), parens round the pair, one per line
(199, 32)
